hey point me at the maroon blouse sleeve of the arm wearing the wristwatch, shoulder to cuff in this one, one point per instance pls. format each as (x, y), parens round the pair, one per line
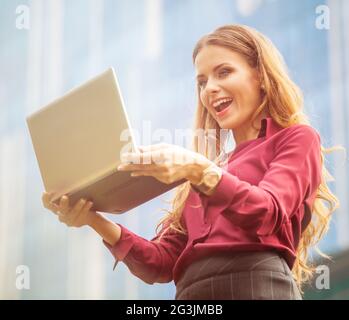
(292, 178)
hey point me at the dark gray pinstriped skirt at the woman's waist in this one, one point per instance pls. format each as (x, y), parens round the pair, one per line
(238, 276)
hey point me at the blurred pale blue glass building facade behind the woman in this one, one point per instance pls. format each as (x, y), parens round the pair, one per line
(48, 47)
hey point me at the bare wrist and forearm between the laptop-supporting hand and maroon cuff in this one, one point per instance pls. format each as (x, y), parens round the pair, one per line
(108, 230)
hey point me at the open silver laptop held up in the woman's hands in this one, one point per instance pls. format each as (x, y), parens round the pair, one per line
(78, 140)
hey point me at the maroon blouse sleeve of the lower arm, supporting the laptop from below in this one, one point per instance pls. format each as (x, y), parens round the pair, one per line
(150, 260)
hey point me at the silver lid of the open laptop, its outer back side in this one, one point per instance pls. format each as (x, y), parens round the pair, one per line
(77, 138)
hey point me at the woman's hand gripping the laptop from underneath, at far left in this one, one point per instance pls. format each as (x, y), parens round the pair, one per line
(77, 216)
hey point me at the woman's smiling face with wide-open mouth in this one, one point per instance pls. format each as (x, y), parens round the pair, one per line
(229, 88)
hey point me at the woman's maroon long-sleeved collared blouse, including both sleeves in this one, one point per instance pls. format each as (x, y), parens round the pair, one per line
(263, 202)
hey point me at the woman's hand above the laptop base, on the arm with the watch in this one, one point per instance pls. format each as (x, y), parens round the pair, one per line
(165, 162)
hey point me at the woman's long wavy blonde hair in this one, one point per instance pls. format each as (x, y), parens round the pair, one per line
(283, 101)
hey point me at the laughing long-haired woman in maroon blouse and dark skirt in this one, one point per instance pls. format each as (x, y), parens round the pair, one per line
(240, 228)
